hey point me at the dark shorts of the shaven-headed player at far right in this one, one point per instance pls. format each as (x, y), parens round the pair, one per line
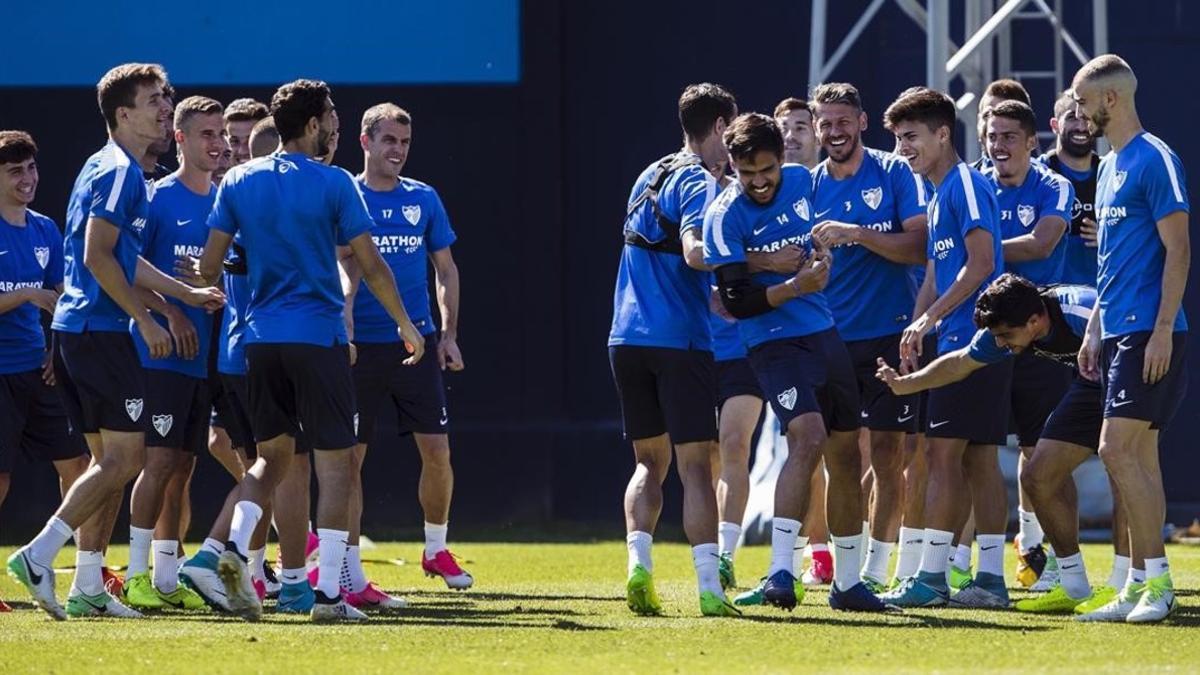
(1125, 392)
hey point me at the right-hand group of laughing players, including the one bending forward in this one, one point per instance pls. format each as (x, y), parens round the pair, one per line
(902, 313)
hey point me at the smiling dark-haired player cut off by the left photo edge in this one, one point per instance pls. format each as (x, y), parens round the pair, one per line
(33, 421)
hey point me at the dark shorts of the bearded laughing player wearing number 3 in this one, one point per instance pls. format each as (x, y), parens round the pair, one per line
(883, 410)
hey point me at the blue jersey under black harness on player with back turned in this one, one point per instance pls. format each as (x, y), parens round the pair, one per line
(659, 301)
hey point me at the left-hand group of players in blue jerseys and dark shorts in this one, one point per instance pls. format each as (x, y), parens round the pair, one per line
(221, 306)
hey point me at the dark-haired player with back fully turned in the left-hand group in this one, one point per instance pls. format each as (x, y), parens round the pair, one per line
(290, 212)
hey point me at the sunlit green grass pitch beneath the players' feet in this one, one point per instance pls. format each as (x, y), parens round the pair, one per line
(561, 608)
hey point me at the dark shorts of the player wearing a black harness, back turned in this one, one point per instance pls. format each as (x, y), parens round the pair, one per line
(665, 391)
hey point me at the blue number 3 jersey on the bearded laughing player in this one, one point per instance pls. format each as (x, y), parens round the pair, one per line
(869, 296)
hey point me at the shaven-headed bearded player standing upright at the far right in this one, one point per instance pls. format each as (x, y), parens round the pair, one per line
(1139, 339)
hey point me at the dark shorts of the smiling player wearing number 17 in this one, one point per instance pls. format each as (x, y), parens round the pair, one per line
(416, 391)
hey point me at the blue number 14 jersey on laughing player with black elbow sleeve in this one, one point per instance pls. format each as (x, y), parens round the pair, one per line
(736, 225)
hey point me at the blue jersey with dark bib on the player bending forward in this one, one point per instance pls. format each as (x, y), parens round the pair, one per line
(1069, 309)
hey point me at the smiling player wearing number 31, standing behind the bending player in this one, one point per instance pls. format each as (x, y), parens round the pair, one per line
(1034, 213)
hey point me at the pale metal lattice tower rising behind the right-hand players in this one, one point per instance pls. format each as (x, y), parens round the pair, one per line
(986, 55)
